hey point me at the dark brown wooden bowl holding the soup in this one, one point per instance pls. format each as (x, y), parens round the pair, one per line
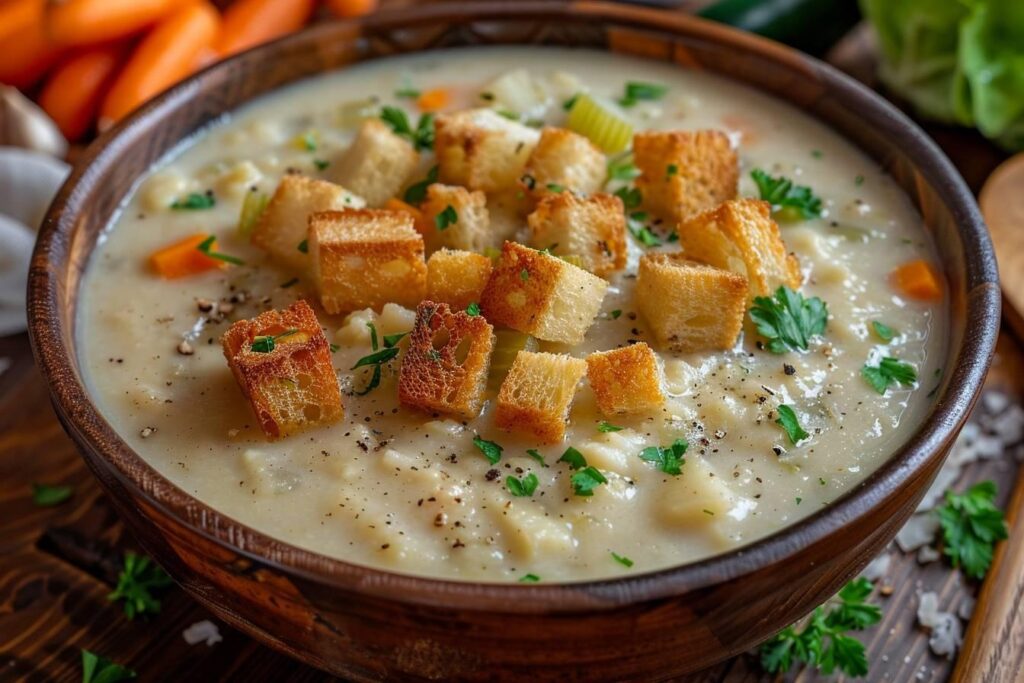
(368, 624)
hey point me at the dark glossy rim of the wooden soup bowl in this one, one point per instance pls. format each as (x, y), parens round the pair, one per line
(92, 433)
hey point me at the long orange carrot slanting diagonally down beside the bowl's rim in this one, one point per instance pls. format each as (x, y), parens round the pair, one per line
(167, 55)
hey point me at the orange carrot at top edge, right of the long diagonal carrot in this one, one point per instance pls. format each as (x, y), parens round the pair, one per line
(249, 23)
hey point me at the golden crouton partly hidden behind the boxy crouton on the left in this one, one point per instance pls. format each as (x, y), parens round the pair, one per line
(283, 226)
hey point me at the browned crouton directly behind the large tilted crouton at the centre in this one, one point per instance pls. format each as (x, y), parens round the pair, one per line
(592, 228)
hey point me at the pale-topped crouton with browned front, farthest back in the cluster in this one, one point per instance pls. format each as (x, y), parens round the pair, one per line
(482, 150)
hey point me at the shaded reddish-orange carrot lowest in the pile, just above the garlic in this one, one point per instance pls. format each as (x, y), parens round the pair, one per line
(75, 90)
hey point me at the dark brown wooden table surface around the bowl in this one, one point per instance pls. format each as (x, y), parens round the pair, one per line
(58, 565)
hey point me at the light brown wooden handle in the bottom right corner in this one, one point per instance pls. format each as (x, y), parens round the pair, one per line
(994, 649)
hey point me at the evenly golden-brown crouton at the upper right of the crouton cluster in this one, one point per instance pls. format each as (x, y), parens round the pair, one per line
(685, 173)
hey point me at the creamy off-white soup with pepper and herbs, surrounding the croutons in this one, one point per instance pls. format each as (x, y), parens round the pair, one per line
(409, 491)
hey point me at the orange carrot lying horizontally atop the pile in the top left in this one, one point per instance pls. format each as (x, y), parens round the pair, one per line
(90, 22)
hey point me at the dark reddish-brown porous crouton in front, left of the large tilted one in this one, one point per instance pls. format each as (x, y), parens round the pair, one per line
(445, 369)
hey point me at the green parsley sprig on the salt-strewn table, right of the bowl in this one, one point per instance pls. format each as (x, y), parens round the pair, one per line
(971, 527)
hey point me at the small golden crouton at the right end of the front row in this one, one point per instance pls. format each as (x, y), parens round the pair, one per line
(625, 380)
